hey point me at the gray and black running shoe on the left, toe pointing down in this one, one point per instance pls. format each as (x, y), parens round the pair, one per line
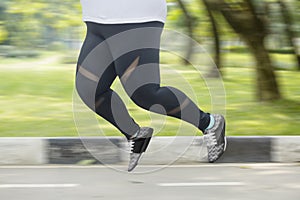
(139, 143)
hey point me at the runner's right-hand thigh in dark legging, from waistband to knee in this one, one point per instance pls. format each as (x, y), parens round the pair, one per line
(136, 53)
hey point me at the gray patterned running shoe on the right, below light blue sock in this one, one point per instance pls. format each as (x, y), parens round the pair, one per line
(215, 139)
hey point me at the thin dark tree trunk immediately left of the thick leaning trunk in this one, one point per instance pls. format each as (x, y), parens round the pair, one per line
(217, 57)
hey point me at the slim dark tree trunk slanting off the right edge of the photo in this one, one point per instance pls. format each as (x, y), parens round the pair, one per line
(289, 29)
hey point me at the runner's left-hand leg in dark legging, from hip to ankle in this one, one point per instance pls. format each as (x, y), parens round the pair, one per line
(94, 79)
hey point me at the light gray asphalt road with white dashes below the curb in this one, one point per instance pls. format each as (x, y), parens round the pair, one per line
(205, 181)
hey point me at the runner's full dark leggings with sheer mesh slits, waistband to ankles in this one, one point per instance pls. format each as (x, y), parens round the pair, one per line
(131, 52)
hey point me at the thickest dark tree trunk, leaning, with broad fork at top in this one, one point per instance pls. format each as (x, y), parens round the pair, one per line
(246, 20)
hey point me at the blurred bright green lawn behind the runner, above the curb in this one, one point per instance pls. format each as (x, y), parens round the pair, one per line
(36, 100)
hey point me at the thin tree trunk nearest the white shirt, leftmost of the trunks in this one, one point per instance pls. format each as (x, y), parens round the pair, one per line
(190, 28)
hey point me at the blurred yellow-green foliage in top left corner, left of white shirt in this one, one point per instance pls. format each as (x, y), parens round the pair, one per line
(40, 22)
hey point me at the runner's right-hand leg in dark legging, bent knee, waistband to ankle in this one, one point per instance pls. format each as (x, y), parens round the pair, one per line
(138, 70)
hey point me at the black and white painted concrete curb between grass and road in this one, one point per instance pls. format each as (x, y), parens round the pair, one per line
(162, 150)
